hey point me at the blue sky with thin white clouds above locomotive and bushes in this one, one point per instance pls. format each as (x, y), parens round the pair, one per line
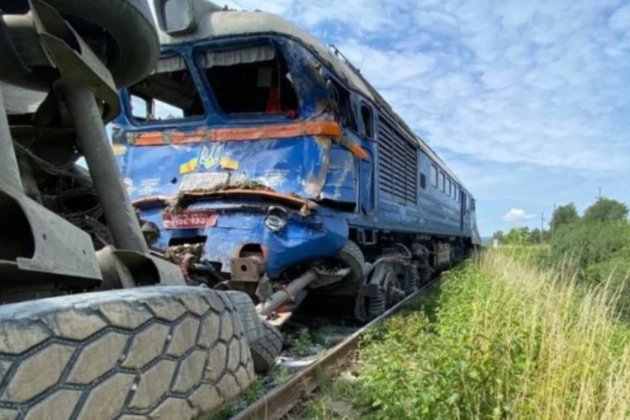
(528, 102)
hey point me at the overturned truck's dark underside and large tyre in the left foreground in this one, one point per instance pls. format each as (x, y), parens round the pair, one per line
(94, 323)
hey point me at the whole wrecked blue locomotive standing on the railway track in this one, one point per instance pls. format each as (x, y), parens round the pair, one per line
(262, 161)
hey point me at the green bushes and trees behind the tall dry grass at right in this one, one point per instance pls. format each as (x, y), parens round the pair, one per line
(595, 246)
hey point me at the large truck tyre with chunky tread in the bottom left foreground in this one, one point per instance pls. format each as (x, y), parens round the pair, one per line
(159, 352)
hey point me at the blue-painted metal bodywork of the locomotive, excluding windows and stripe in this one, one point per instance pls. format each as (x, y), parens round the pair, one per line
(313, 168)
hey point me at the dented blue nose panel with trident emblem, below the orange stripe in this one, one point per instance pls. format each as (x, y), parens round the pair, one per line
(296, 166)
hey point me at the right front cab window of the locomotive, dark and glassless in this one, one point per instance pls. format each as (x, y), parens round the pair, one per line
(253, 79)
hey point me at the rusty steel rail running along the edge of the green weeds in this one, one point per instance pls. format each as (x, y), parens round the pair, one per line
(285, 397)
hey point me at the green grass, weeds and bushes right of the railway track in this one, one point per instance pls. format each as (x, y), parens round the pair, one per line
(536, 328)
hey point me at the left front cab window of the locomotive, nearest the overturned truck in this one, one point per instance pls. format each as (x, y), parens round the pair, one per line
(169, 93)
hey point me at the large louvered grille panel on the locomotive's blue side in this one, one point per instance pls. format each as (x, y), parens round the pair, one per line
(398, 163)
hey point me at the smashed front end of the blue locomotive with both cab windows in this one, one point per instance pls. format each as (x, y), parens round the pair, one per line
(234, 154)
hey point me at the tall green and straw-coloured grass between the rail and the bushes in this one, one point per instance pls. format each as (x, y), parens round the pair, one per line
(499, 338)
